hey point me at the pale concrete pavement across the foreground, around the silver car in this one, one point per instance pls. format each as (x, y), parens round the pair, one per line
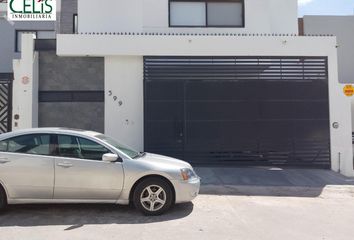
(235, 203)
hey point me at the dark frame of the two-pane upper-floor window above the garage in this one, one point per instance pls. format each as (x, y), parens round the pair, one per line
(206, 14)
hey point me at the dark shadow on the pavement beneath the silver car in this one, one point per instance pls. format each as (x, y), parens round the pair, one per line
(78, 215)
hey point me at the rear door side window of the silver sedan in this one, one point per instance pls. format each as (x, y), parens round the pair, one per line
(32, 144)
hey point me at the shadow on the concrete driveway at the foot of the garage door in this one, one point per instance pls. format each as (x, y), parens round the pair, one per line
(272, 181)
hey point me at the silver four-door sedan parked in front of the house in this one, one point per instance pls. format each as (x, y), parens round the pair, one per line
(58, 165)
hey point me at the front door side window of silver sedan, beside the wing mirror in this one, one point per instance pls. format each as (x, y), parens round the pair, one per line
(76, 147)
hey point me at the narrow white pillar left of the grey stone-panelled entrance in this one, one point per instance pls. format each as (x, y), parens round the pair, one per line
(25, 95)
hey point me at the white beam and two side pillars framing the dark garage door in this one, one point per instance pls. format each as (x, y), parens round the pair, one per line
(124, 74)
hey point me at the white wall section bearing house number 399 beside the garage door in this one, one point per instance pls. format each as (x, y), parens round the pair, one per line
(123, 84)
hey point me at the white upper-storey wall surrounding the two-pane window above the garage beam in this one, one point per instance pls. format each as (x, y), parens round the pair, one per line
(261, 16)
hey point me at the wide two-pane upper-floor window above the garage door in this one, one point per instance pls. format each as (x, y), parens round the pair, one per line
(206, 13)
